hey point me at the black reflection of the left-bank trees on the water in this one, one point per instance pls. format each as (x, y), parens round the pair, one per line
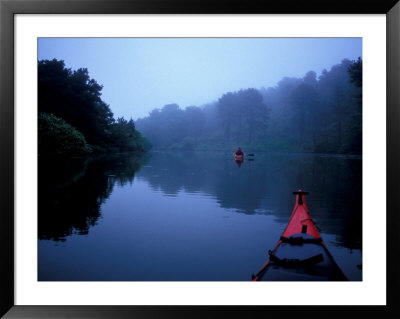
(72, 191)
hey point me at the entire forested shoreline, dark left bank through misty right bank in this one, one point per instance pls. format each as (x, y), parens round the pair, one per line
(311, 114)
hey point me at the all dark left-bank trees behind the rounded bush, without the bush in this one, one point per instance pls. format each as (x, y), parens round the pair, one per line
(76, 98)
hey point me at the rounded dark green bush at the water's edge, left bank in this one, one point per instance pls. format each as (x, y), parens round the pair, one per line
(57, 137)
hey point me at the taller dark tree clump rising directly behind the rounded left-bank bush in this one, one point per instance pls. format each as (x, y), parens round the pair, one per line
(73, 96)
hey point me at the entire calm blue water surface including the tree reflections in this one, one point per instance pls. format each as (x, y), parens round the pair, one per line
(189, 216)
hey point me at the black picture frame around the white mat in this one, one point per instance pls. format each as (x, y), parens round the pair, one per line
(8, 8)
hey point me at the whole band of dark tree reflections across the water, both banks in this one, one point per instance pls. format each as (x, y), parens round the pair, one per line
(71, 192)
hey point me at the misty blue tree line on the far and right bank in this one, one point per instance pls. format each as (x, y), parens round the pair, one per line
(310, 114)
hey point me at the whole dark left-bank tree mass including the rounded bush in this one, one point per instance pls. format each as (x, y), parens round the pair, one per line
(74, 120)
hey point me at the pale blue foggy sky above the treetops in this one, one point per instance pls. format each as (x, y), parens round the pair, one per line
(140, 74)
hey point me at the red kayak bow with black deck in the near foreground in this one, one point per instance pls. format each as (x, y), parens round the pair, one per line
(300, 254)
